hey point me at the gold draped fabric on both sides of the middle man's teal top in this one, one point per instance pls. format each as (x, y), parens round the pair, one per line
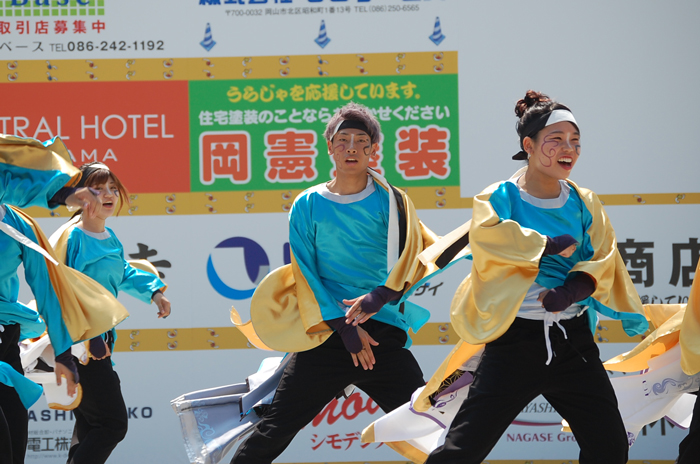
(284, 313)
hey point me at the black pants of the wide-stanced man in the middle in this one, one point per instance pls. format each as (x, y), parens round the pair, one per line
(313, 378)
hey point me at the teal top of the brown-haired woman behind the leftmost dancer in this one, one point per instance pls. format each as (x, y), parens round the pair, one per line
(101, 257)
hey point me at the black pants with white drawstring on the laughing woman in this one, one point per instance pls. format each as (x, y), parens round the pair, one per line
(512, 372)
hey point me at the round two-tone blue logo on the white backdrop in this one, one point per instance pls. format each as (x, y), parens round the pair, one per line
(257, 266)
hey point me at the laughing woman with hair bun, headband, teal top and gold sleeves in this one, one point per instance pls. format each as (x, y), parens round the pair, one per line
(545, 258)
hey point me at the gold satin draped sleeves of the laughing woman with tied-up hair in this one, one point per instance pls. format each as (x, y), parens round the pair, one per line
(506, 263)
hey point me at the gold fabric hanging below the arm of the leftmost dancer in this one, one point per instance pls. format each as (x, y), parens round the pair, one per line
(88, 309)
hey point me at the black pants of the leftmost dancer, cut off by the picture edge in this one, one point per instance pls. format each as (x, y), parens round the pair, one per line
(14, 420)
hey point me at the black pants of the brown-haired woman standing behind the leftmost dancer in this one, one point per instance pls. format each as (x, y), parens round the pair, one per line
(101, 418)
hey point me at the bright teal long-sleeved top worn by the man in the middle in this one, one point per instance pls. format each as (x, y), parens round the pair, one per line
(340, 245)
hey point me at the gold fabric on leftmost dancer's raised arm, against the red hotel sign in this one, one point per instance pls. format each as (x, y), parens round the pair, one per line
(32, 154)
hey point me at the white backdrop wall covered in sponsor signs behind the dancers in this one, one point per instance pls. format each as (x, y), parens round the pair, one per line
(212, 112)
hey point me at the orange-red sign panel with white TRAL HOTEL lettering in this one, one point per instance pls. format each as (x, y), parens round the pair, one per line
(139, 129)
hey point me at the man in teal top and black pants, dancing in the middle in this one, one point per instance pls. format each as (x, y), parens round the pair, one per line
(354, 243)
